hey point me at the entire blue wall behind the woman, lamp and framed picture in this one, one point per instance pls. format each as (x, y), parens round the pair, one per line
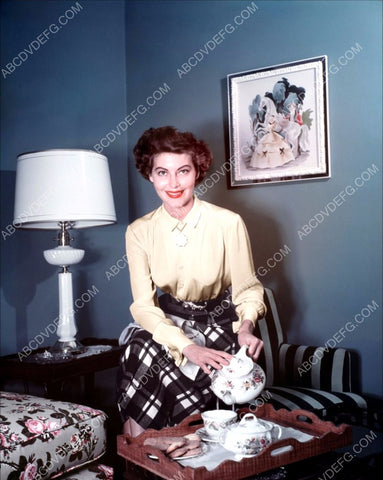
(78, 88)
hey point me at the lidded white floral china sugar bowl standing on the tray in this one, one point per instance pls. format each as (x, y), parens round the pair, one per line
(250, 436)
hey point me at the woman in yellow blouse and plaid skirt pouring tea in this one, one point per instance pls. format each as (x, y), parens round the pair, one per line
(193, 252)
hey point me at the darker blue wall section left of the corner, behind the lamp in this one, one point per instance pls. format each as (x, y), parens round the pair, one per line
(67, 94)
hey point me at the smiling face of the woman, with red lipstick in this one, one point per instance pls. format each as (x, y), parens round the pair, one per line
(173, 176)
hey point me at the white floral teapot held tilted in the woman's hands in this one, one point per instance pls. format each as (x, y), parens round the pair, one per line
(240, 381)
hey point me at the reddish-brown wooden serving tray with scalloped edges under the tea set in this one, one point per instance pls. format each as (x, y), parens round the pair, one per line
(326, 435)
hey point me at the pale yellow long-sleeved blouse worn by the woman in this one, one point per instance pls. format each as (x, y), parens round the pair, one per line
(217, 254)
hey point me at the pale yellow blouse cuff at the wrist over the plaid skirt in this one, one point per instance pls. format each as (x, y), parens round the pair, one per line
(174, 338)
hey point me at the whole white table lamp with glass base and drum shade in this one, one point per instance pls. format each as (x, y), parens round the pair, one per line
(62, 189)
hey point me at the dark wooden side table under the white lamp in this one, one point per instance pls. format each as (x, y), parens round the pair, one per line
(52, 375)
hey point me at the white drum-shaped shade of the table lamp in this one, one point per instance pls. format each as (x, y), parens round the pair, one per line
(63, 186)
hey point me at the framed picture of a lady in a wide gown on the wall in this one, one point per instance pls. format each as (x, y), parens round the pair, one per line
(278, 123)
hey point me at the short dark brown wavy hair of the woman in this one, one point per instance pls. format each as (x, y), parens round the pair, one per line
(168, 139)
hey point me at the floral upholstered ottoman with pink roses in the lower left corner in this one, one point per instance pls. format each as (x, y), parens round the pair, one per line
(42, 438)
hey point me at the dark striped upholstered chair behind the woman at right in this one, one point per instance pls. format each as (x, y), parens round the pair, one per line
(319, 379)
